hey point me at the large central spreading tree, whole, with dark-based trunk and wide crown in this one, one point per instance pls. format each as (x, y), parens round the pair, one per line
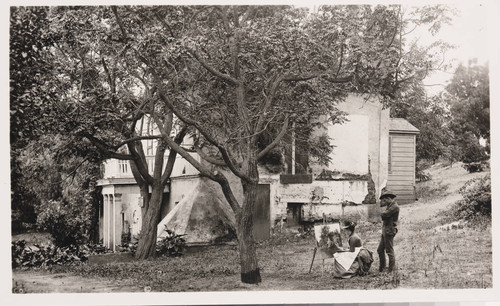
(250, 74)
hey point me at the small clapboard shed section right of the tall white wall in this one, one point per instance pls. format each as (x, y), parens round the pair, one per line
(402, 156)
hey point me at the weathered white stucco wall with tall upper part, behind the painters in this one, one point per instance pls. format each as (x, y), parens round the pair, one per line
(361, 143)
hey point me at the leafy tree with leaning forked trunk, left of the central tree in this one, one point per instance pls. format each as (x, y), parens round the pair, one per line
(105, 100)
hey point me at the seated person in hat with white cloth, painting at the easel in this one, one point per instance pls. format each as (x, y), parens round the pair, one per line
(353, 261)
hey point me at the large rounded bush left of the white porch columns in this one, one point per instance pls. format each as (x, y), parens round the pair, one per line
(64, 188)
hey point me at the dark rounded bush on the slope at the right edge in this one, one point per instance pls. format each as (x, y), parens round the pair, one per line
(476, 202)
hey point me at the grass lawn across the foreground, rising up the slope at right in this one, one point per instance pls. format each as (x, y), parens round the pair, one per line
(429, 255)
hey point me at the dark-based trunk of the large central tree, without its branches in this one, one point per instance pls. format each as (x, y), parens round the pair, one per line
(250, 272)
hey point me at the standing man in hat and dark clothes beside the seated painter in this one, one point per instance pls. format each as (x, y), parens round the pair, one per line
(389, 229)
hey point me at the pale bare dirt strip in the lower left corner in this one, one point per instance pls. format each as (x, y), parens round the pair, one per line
(41, 282)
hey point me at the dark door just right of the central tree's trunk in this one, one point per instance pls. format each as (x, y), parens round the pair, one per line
(261, 224)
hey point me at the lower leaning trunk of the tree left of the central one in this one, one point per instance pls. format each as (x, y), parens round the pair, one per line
(147, 242)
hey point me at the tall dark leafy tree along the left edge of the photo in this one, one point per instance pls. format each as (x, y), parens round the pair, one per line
(29, 91)
